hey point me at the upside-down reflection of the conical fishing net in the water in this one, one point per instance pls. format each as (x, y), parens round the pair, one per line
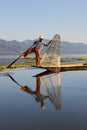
(52, 85)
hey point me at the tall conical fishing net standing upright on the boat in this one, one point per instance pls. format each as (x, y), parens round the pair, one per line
(51, 57)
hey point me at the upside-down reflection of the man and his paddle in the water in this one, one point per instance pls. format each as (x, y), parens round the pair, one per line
(37, 94)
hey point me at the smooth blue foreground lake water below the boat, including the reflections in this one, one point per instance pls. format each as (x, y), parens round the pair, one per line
(49, 102)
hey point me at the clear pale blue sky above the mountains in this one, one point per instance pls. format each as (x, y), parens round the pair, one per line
(28, 19)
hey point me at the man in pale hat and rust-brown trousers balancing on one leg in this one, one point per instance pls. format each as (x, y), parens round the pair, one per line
(36, 48)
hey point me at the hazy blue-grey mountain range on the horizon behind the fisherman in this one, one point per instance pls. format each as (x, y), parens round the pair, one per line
(15, 47)
